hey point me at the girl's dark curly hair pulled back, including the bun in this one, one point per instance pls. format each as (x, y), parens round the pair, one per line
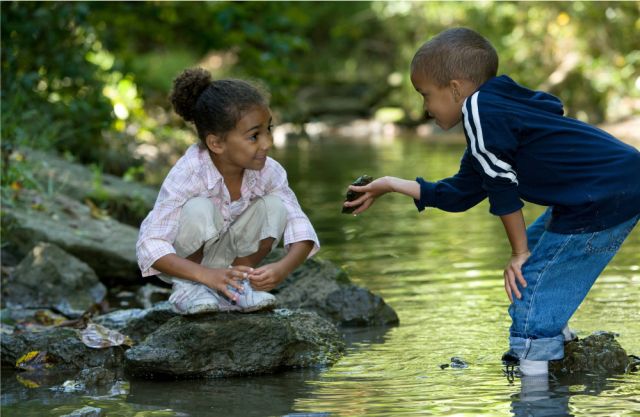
(215, 107)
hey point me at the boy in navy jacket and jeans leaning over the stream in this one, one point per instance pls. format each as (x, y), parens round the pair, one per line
(521, 147)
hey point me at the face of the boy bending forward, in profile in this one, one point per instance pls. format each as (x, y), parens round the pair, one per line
(444, 104)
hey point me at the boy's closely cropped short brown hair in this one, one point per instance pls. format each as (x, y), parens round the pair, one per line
(457, 53)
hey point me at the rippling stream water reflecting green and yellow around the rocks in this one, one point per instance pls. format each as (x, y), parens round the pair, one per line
(440, 271)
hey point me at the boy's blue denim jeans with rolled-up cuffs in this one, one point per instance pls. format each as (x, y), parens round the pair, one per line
(559, 273)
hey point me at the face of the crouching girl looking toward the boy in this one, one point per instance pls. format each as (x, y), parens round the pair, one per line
(247, 145)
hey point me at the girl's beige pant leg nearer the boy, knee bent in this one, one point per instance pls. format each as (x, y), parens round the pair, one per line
(265, 218)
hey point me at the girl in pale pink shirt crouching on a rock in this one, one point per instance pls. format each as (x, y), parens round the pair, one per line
(224, 205)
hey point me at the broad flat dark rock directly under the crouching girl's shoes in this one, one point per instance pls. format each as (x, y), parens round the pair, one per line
(219, 345)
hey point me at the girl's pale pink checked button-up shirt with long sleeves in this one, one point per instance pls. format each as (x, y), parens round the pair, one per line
(195, 175)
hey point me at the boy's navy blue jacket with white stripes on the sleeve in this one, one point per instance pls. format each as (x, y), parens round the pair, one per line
(521, 147)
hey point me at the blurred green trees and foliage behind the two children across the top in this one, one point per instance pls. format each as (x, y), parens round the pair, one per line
(90, 80)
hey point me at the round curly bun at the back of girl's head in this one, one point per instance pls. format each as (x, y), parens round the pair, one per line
(187, 88)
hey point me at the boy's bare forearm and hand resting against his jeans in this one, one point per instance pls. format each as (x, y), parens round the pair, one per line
(517, 233)
